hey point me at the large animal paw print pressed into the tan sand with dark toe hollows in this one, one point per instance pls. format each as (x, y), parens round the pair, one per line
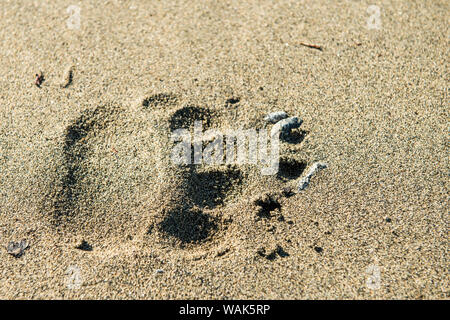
(115, 175)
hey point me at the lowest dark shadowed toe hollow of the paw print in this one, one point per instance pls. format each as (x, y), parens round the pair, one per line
(188, 225)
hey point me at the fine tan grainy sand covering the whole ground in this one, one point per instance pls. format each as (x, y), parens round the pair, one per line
(86, 175)
